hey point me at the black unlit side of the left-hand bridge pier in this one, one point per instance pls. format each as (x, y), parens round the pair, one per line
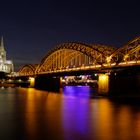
(48, 83)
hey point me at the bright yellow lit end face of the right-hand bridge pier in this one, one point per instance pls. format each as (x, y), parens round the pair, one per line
(103, 84)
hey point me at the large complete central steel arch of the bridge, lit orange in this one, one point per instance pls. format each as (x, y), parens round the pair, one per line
(74, 55)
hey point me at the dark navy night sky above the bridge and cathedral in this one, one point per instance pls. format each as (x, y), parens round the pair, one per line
(31, 28)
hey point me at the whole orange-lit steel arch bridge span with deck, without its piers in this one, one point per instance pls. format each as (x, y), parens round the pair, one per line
(80, 56)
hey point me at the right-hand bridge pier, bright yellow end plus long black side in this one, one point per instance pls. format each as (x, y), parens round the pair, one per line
(120, 83)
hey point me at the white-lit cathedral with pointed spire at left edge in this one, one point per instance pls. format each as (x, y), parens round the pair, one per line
(6, 66)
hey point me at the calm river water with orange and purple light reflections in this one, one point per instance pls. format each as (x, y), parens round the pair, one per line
(73, 114)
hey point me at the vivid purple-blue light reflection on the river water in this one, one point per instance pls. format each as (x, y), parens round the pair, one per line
(75, 111)
